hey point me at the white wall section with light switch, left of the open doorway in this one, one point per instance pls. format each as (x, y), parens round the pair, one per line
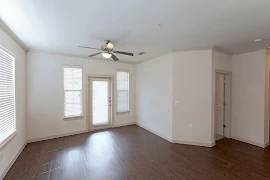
(192, 88)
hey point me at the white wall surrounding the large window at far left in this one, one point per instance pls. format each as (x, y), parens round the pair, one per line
(10, 150)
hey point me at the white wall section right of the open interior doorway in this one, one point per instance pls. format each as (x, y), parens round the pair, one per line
(248, 96)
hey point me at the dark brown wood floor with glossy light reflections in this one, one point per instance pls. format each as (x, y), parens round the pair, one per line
(134, 153)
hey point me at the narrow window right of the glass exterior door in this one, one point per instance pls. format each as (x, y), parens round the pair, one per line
(122, 91)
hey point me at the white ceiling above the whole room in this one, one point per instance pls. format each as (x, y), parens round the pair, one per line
(61, 25)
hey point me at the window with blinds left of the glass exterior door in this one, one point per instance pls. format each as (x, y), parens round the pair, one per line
(73, 91)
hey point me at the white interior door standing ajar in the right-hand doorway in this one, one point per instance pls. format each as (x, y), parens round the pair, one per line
(219, 106)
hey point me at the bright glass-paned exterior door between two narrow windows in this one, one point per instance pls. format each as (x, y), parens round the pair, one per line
(101, 102)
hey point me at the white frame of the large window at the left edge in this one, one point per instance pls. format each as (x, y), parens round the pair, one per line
(13, 134)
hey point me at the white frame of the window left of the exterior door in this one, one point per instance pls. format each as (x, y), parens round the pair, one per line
(69, 118)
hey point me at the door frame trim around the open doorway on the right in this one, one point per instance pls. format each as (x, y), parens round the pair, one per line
(229, 73)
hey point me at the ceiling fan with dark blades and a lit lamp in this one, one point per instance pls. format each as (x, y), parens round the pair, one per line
(107, 51)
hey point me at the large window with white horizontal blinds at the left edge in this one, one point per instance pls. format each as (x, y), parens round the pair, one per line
(7, 97)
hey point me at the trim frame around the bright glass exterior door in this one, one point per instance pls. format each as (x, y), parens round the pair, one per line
(89, 100)
